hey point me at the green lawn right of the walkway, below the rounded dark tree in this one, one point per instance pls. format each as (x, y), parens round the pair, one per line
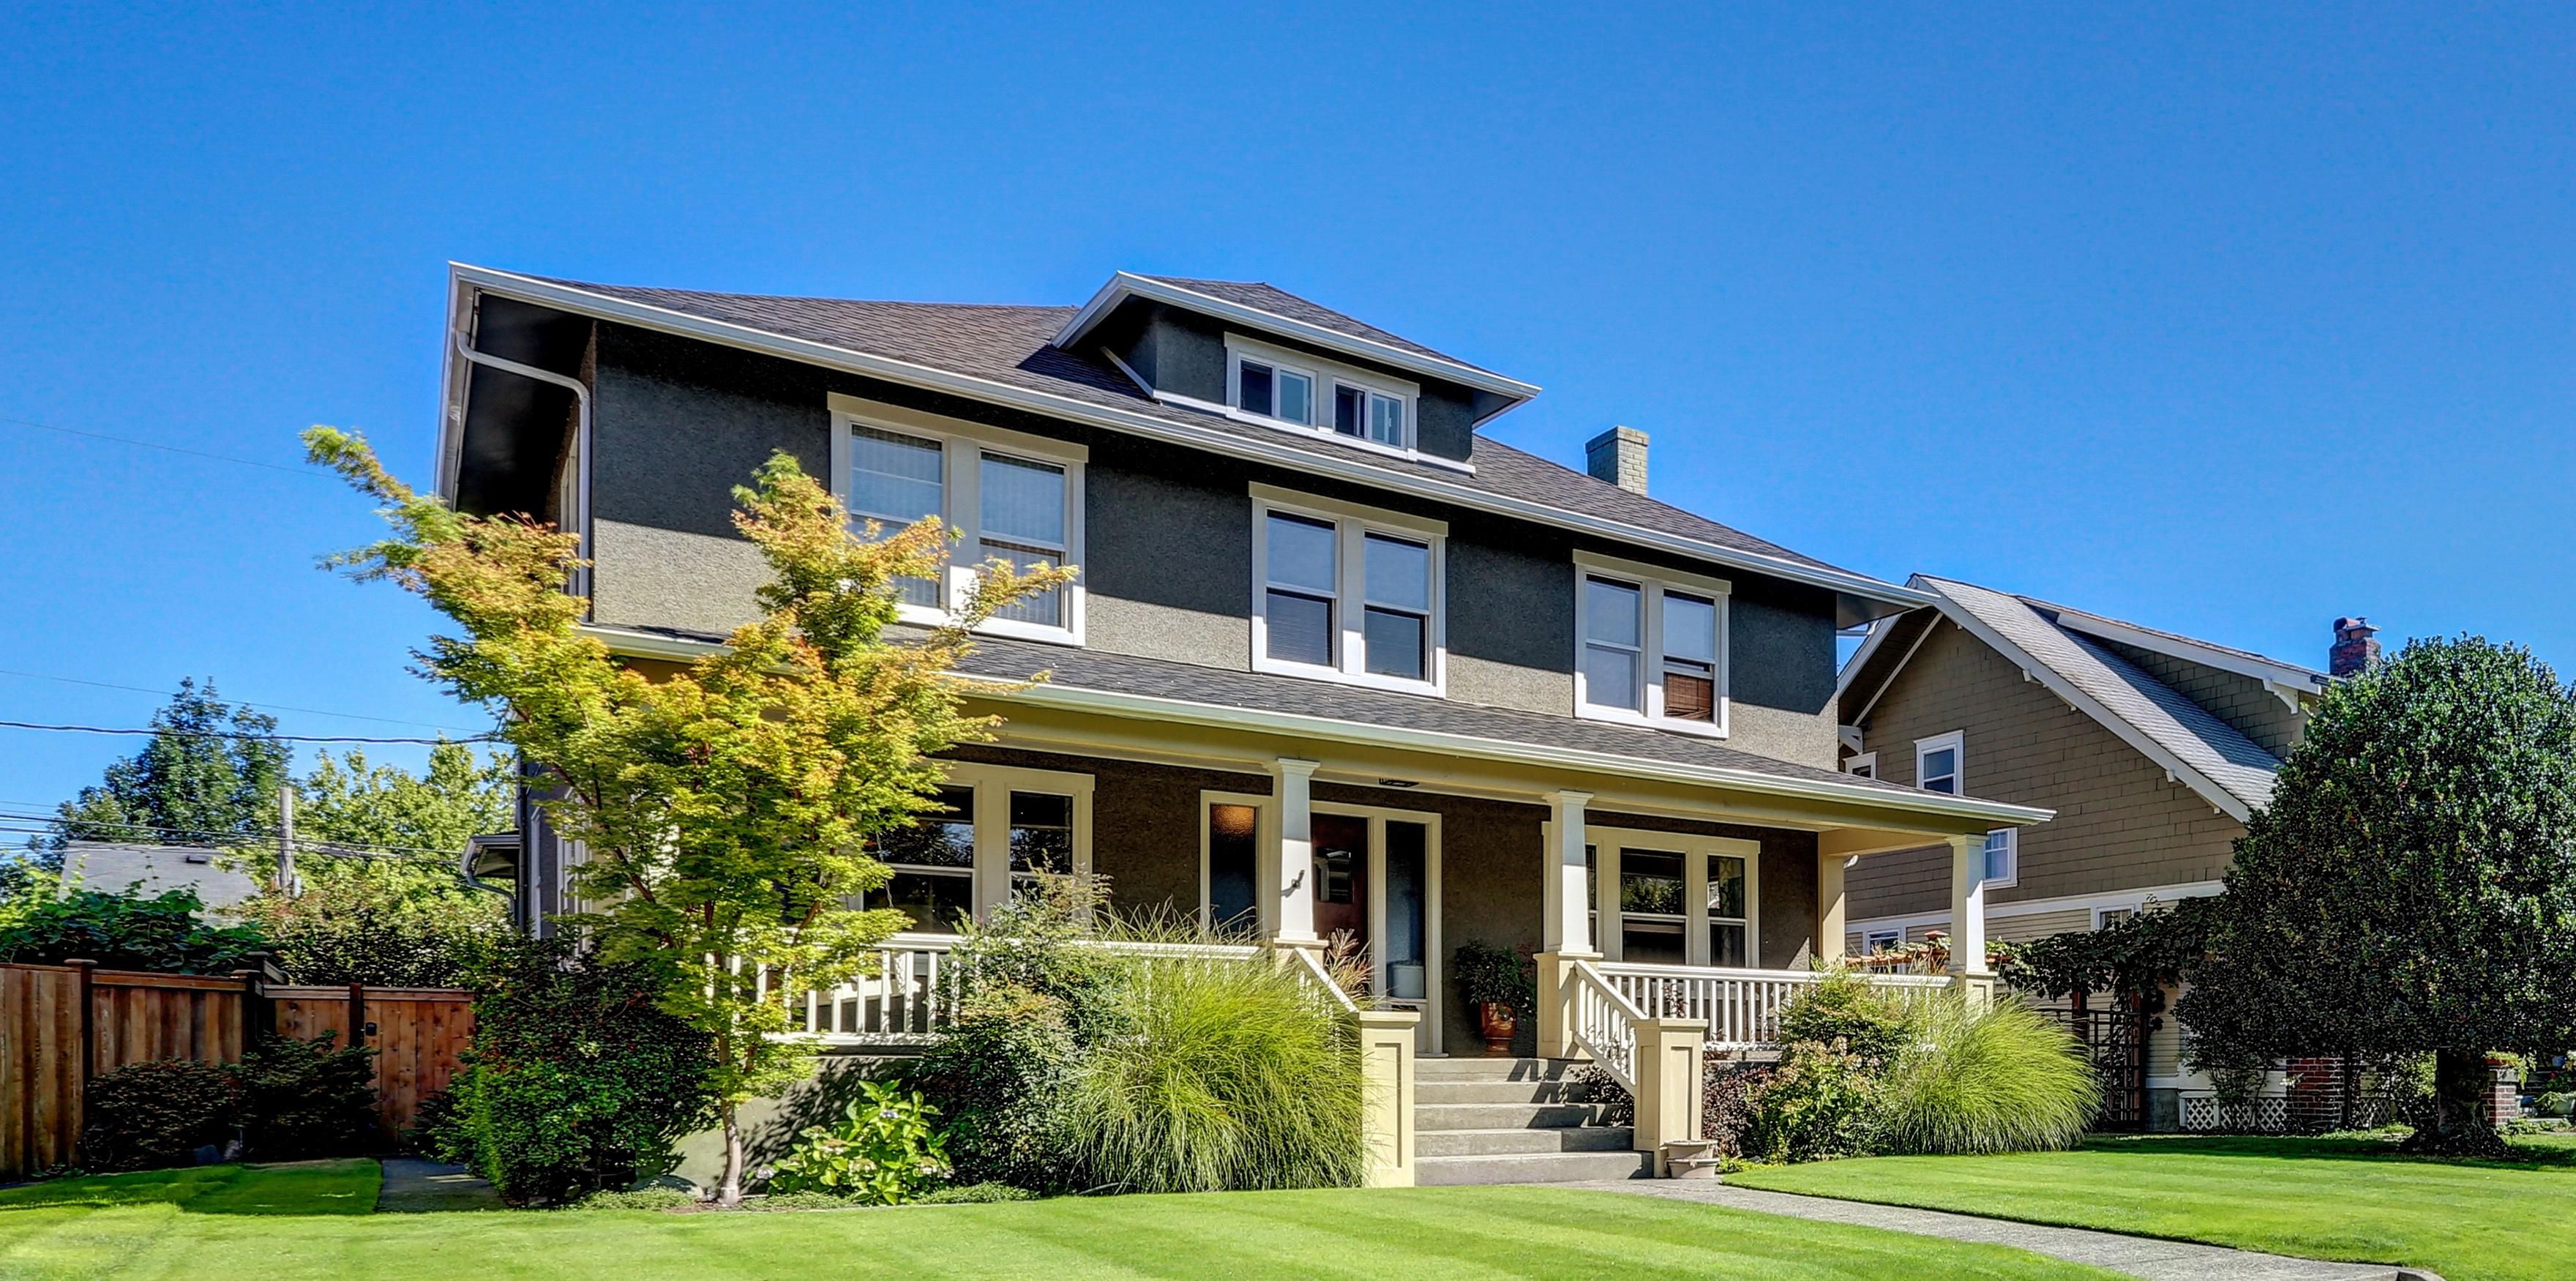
(2345, 1200)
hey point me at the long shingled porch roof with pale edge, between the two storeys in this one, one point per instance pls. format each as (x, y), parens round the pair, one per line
(1184, 692)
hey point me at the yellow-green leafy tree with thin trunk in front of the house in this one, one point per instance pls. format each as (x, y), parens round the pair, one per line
(725, 805)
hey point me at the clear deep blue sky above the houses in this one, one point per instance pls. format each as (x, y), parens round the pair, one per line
(2217, 321)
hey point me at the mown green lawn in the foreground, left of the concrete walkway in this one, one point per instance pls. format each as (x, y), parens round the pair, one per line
(295, 1223)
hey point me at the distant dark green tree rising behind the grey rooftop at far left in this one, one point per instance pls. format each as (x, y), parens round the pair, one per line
(210, 777)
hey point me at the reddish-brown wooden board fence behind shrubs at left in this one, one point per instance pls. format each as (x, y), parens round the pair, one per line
(63, 1025)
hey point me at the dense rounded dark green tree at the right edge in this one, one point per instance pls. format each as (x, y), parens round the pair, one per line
(2412, 885)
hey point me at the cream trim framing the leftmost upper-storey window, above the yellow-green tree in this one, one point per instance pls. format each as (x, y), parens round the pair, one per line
(962, 463)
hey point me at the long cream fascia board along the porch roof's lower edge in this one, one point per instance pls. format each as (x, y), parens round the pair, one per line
(1431, 741)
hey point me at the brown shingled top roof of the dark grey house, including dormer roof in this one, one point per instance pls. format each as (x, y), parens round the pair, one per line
(1016, 349)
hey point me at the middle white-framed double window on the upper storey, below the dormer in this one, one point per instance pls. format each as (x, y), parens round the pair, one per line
(1346, 594)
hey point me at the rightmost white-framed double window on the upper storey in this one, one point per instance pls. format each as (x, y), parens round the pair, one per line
(1653, 646)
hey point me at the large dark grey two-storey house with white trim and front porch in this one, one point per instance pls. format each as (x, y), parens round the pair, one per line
(1336, 664)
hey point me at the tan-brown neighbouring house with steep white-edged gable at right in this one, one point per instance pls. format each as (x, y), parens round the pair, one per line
(2150, 749)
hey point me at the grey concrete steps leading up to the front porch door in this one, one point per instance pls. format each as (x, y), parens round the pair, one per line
(1513, 1122)
